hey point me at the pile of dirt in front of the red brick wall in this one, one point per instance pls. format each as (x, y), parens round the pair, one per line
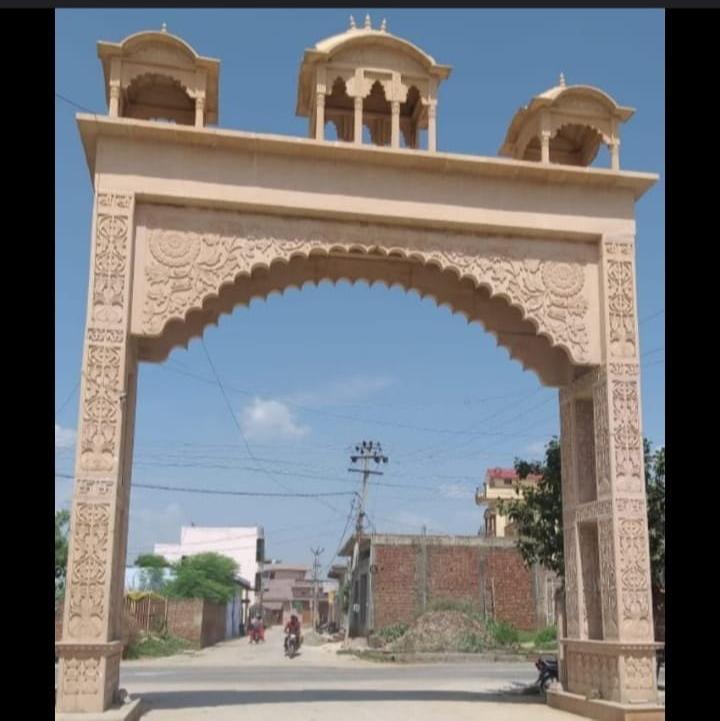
(442, 631)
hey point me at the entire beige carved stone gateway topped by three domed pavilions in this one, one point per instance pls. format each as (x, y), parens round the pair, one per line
(191, 220)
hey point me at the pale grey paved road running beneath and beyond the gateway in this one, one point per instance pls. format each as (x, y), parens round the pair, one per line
(257, 683)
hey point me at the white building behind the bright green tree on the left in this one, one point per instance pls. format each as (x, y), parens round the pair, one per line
(244, 544)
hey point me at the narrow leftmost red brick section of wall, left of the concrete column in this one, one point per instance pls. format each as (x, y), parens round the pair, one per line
(393, 585)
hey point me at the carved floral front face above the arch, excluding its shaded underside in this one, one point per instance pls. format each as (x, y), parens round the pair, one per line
(187, 265)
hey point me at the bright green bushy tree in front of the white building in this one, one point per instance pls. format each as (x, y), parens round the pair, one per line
(206, 575)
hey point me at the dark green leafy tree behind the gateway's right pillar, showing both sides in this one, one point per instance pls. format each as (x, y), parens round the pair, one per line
(537, 512)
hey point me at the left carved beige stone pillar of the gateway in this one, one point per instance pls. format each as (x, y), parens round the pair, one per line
(90, 650)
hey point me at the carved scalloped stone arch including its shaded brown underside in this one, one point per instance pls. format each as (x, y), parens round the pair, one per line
(194, 261)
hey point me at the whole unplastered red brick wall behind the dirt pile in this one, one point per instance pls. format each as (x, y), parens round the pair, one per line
(458, 573)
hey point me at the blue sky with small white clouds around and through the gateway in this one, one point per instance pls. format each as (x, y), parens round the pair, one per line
(312, 372)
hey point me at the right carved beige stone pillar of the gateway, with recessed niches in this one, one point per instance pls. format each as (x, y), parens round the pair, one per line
(609, 649)
